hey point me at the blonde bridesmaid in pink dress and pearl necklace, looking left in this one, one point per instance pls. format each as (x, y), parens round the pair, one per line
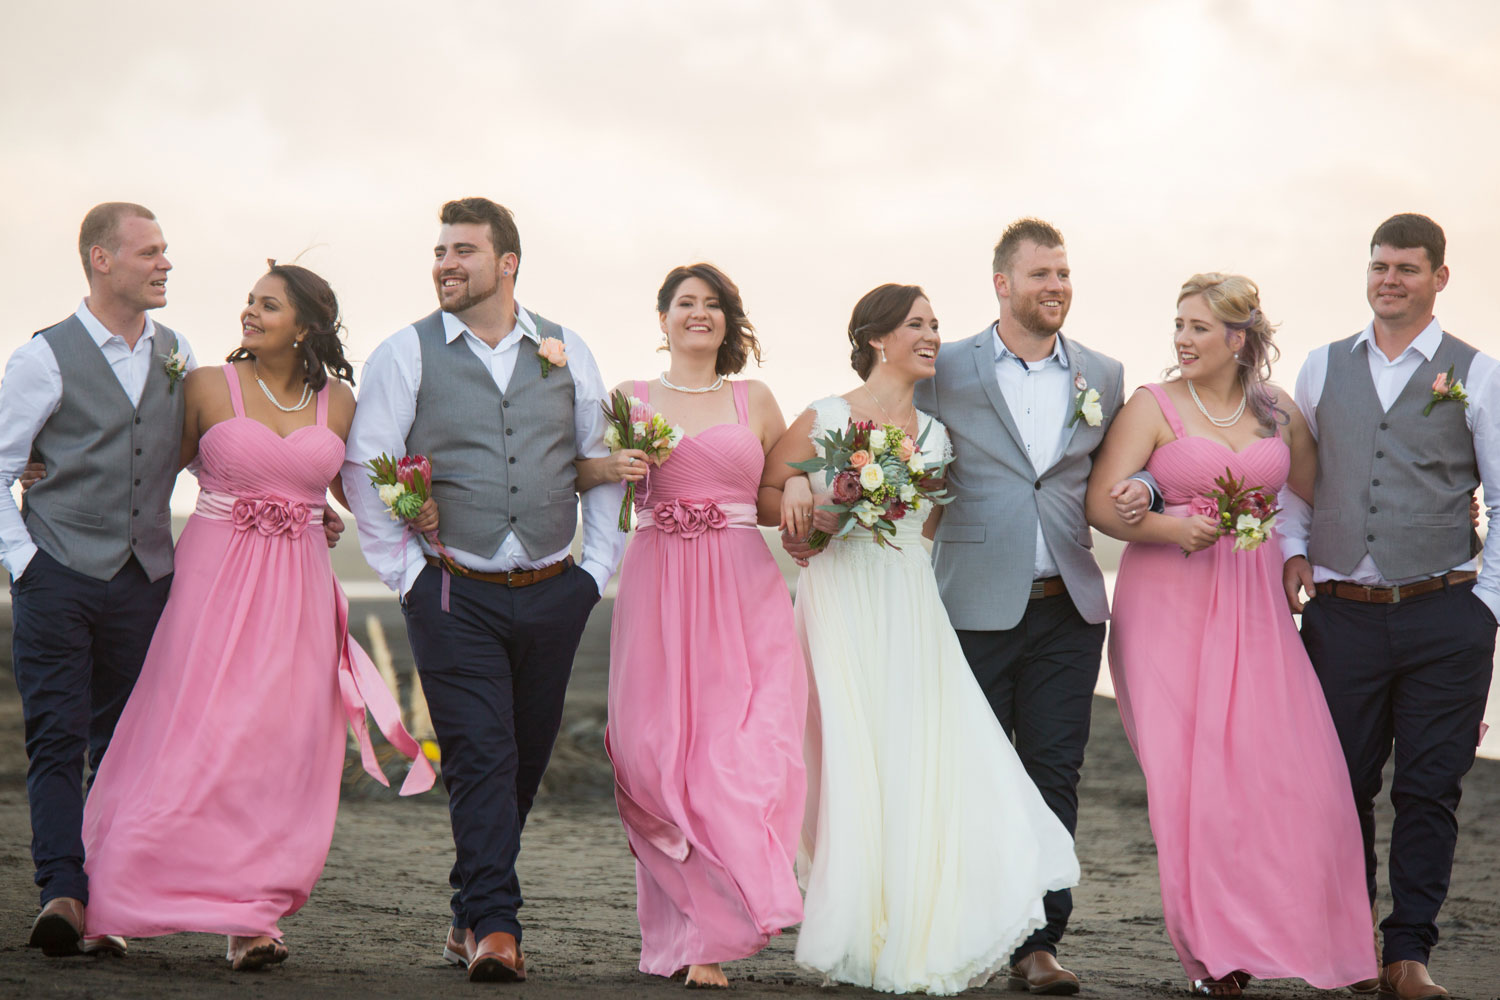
(1258, 842)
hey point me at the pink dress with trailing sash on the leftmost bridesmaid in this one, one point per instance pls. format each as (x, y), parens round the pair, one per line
(214, 807)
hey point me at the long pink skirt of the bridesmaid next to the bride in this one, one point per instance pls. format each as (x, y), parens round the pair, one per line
(707, 702)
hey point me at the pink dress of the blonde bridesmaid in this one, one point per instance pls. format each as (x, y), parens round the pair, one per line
(1258, 840)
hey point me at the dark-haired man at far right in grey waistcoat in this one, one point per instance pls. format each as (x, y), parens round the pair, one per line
(1402, 630)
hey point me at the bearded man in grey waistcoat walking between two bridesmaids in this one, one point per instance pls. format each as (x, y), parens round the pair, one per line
(467, 388)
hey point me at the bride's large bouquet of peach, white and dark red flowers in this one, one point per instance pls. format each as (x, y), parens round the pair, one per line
(878, 478)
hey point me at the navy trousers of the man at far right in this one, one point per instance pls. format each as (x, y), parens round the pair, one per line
(1414, 675)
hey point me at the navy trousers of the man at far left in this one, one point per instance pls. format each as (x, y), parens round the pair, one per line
(77, 647)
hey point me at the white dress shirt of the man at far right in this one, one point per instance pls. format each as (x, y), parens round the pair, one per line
(1483, 416)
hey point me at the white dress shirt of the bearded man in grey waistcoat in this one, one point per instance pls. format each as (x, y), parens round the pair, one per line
(383, 419)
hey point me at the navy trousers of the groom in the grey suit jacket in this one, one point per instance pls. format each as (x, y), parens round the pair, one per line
(1040, 681)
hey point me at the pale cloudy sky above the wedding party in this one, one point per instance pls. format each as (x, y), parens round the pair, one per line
(812, 151)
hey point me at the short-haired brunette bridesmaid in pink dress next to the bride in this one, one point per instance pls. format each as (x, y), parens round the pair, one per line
(707, 683)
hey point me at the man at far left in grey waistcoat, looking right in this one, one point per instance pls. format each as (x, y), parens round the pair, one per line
(91, 551)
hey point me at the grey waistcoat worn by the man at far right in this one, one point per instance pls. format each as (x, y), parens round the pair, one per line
(1393, 484)
